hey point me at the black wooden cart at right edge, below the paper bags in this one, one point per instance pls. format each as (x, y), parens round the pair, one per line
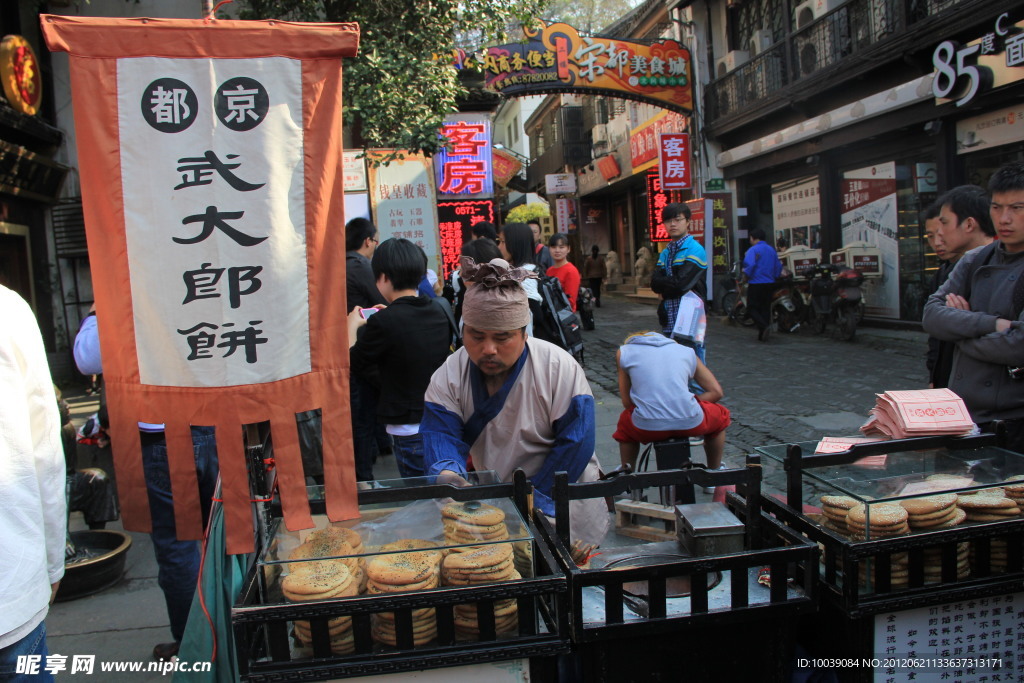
(852, 612)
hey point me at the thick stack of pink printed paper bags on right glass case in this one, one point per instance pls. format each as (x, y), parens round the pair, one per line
(919, 413)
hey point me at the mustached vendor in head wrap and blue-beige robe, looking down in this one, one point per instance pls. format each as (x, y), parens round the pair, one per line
(513, 402)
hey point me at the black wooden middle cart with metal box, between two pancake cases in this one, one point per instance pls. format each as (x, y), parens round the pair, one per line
(735, 630)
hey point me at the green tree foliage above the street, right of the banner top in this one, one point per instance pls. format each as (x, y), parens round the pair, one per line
(397, 90)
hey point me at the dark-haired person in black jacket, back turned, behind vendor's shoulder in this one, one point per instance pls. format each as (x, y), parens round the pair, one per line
(404, 344)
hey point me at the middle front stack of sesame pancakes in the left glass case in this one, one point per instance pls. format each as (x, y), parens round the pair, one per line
(415, 570)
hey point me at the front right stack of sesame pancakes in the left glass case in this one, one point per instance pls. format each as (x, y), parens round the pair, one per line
(482, 566)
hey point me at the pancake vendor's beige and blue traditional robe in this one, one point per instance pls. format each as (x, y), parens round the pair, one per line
(542, 420)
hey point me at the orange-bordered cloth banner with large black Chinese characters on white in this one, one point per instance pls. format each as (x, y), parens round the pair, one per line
(211, 172)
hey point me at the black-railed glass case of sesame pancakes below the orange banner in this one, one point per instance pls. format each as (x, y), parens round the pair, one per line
(426, 571)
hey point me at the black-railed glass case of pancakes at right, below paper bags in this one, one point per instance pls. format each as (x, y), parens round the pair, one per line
(904, 521)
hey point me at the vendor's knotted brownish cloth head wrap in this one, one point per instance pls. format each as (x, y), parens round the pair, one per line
(497, 301)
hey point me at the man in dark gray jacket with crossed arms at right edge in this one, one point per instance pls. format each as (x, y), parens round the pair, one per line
(979, 309)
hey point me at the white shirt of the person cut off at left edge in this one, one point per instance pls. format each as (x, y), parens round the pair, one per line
(33, 514)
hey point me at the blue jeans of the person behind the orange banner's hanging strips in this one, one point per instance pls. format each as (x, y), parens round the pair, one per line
(178, 562)
